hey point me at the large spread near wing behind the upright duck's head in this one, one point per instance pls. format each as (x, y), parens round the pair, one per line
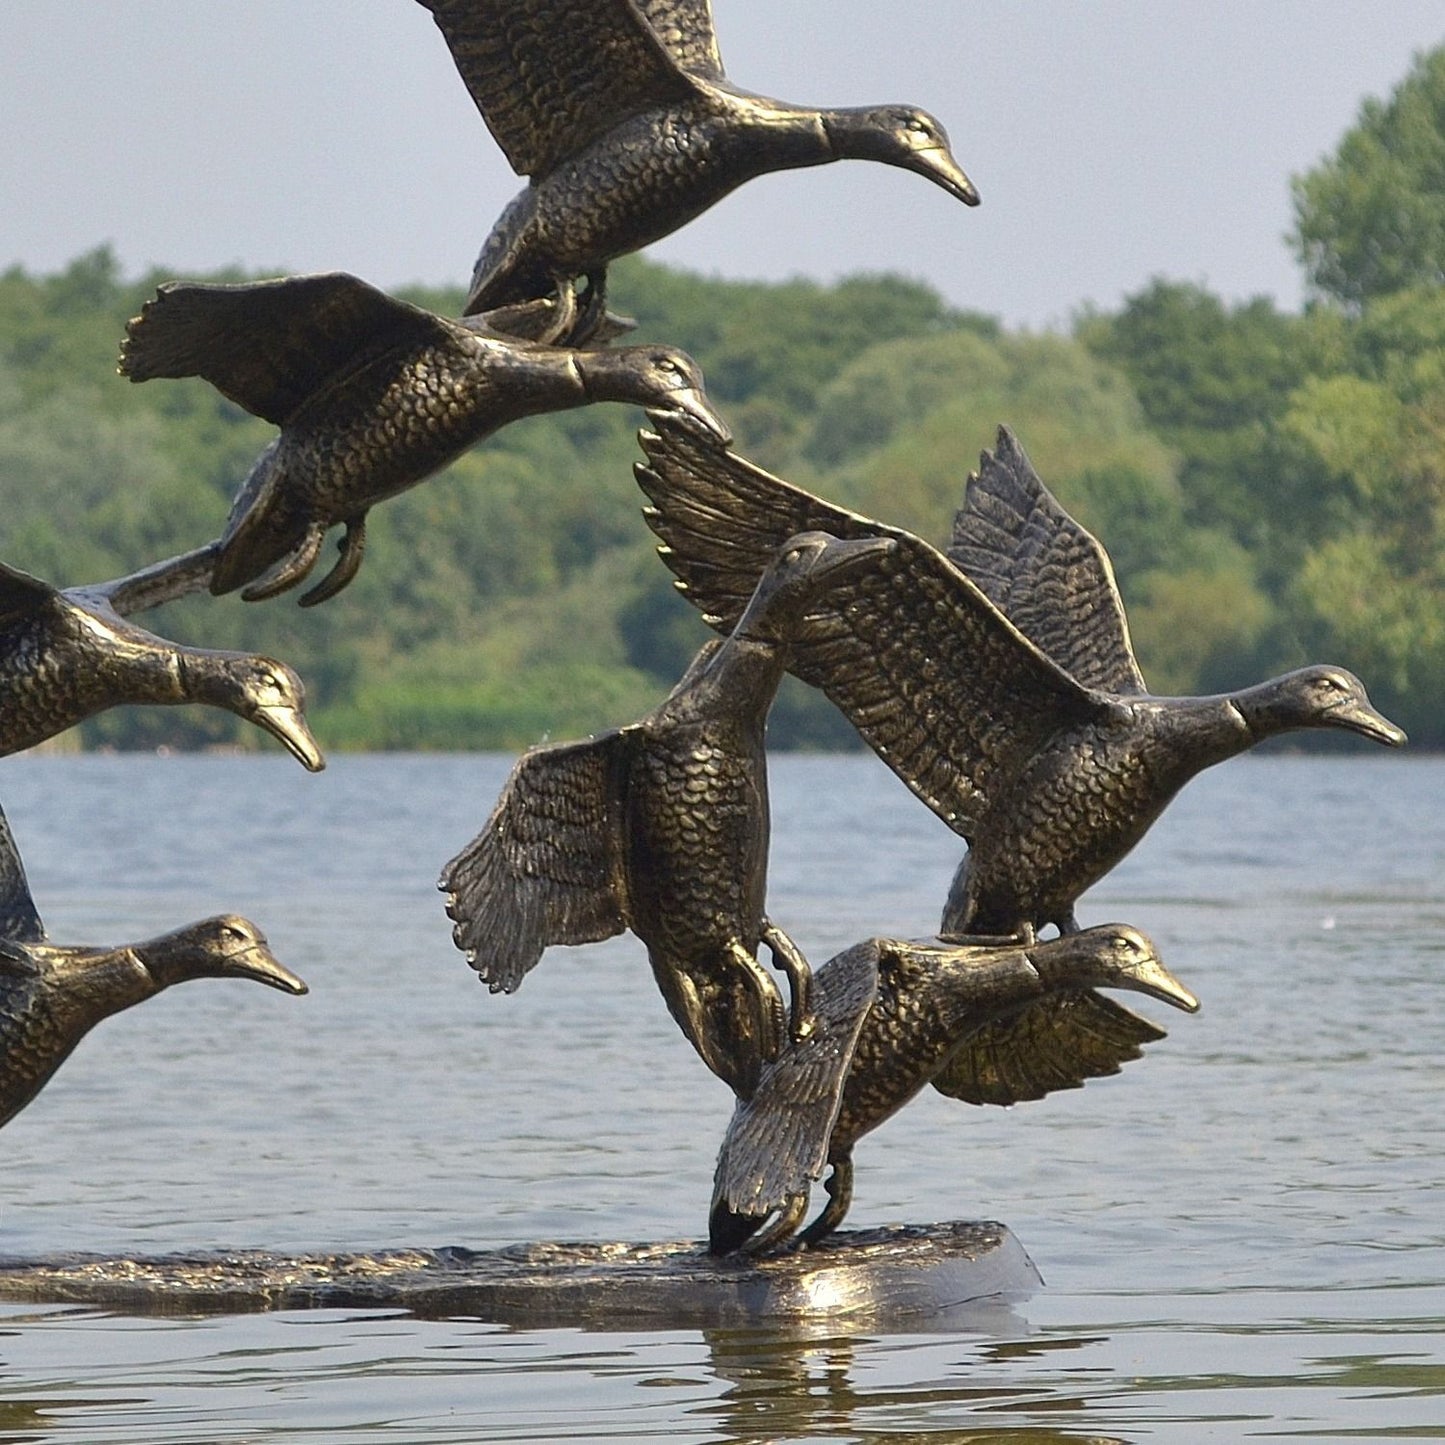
(940, 684)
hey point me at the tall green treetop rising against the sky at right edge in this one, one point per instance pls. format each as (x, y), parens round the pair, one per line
(1371, 220)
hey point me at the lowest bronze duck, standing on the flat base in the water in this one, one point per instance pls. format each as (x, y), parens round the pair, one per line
(962, 1018)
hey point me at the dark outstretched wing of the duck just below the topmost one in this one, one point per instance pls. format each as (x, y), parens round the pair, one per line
(271, 346)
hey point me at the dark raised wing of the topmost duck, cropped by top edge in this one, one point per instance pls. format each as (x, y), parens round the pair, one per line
(553, 76)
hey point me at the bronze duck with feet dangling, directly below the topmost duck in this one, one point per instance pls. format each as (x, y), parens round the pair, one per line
(372, 397)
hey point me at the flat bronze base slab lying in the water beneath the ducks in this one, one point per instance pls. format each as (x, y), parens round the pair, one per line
(904, 1278)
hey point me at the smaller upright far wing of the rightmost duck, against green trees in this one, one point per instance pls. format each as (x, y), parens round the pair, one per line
(1043, 570)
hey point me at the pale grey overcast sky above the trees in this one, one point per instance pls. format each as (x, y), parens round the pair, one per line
(1112, 139)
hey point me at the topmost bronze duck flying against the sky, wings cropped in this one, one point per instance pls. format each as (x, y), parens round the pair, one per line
(622, 116)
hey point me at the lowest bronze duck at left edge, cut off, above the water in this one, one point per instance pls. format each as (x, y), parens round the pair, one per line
(51, 996)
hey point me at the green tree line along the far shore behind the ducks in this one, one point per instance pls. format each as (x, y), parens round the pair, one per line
(1269, 485)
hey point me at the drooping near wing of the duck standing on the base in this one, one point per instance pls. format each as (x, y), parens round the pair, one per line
(778, 1139)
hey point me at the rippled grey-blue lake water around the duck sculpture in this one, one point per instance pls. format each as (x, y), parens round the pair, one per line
(1243, 1235)
